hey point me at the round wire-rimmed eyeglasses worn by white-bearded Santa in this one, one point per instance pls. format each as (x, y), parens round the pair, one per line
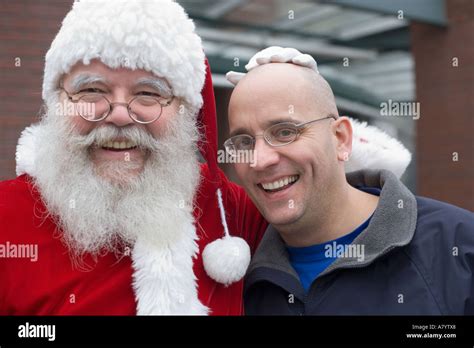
(95, 107)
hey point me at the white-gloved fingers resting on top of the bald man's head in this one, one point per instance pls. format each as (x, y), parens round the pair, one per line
(274, 54)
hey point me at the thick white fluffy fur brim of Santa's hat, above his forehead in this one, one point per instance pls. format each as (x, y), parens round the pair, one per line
(154, 35)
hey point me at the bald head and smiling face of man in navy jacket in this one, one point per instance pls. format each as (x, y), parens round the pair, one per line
(262, 102)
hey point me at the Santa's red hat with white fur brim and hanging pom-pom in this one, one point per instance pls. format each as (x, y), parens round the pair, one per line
(156, 36)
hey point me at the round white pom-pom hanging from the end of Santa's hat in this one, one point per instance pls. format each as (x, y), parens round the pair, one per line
(226, 259)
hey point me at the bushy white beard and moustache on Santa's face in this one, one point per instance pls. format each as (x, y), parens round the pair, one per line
(95, 215)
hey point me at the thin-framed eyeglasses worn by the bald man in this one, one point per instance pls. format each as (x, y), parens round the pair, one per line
(279, 134)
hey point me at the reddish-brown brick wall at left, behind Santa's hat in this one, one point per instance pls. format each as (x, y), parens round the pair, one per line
(27, 28)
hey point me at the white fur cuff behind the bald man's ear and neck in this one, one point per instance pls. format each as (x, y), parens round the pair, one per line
(374, 149)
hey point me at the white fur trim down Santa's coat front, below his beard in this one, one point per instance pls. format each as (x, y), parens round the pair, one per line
(164, 280)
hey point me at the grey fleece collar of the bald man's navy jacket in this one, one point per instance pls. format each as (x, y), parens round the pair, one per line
(392, 225)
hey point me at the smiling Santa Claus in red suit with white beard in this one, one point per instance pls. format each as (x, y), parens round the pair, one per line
(125, 218)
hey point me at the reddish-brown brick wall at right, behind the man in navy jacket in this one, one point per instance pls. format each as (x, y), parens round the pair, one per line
(446, 96)
